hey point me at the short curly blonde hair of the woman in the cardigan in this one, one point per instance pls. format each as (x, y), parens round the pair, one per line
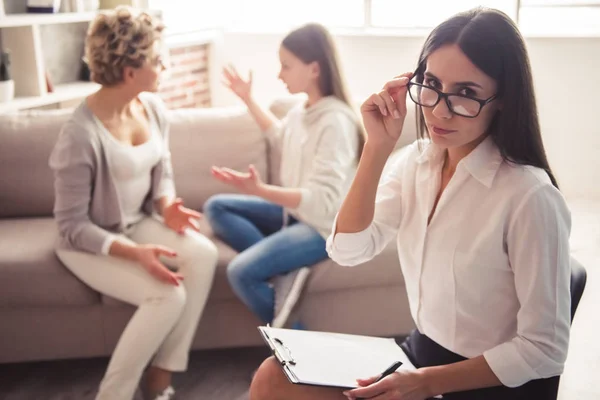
(119, 38)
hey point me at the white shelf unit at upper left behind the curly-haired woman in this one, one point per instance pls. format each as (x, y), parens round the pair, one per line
(21, 35)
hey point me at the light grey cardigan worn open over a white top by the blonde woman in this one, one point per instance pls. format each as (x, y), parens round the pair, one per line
(86, 206)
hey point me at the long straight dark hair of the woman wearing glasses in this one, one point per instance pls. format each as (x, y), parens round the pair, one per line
(493, 43)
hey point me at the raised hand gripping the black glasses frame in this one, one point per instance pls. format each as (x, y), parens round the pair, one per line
(384, 112)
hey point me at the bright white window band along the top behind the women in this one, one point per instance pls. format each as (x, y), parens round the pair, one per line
(561, 17)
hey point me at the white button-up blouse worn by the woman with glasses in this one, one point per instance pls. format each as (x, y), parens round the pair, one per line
(490, 273)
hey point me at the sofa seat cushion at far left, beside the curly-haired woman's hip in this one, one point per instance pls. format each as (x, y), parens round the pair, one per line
(30, 273)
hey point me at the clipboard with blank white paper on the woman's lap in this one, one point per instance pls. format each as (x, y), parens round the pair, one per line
(331, 359)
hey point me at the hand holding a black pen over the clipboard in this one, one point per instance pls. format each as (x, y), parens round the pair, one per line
(401, 385)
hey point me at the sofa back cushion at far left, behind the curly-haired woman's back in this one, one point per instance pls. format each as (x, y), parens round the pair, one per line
(26, 181)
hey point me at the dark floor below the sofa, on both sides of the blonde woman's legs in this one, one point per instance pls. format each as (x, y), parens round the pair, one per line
(214, 375)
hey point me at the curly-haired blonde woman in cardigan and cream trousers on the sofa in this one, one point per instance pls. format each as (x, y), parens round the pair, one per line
(123, 230)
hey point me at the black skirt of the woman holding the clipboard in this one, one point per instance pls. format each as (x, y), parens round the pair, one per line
(424, 352)
